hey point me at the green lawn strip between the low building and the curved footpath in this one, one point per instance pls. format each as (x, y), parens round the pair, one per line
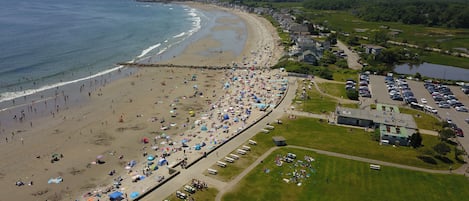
(314, 133)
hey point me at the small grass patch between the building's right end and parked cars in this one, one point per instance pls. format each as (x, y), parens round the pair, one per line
(422, 119)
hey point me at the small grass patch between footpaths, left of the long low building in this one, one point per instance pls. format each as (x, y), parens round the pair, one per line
(316, 103)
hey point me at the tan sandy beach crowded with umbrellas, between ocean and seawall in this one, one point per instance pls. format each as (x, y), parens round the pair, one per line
(147, 113)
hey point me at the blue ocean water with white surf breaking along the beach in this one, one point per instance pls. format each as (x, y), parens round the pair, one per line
(50, 43)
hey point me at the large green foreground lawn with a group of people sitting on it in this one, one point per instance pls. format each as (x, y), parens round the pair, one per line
(334, 179)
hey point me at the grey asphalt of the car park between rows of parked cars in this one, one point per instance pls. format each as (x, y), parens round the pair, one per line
(380, 93)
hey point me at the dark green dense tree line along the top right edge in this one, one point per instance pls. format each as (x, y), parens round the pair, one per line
(449, 13)
